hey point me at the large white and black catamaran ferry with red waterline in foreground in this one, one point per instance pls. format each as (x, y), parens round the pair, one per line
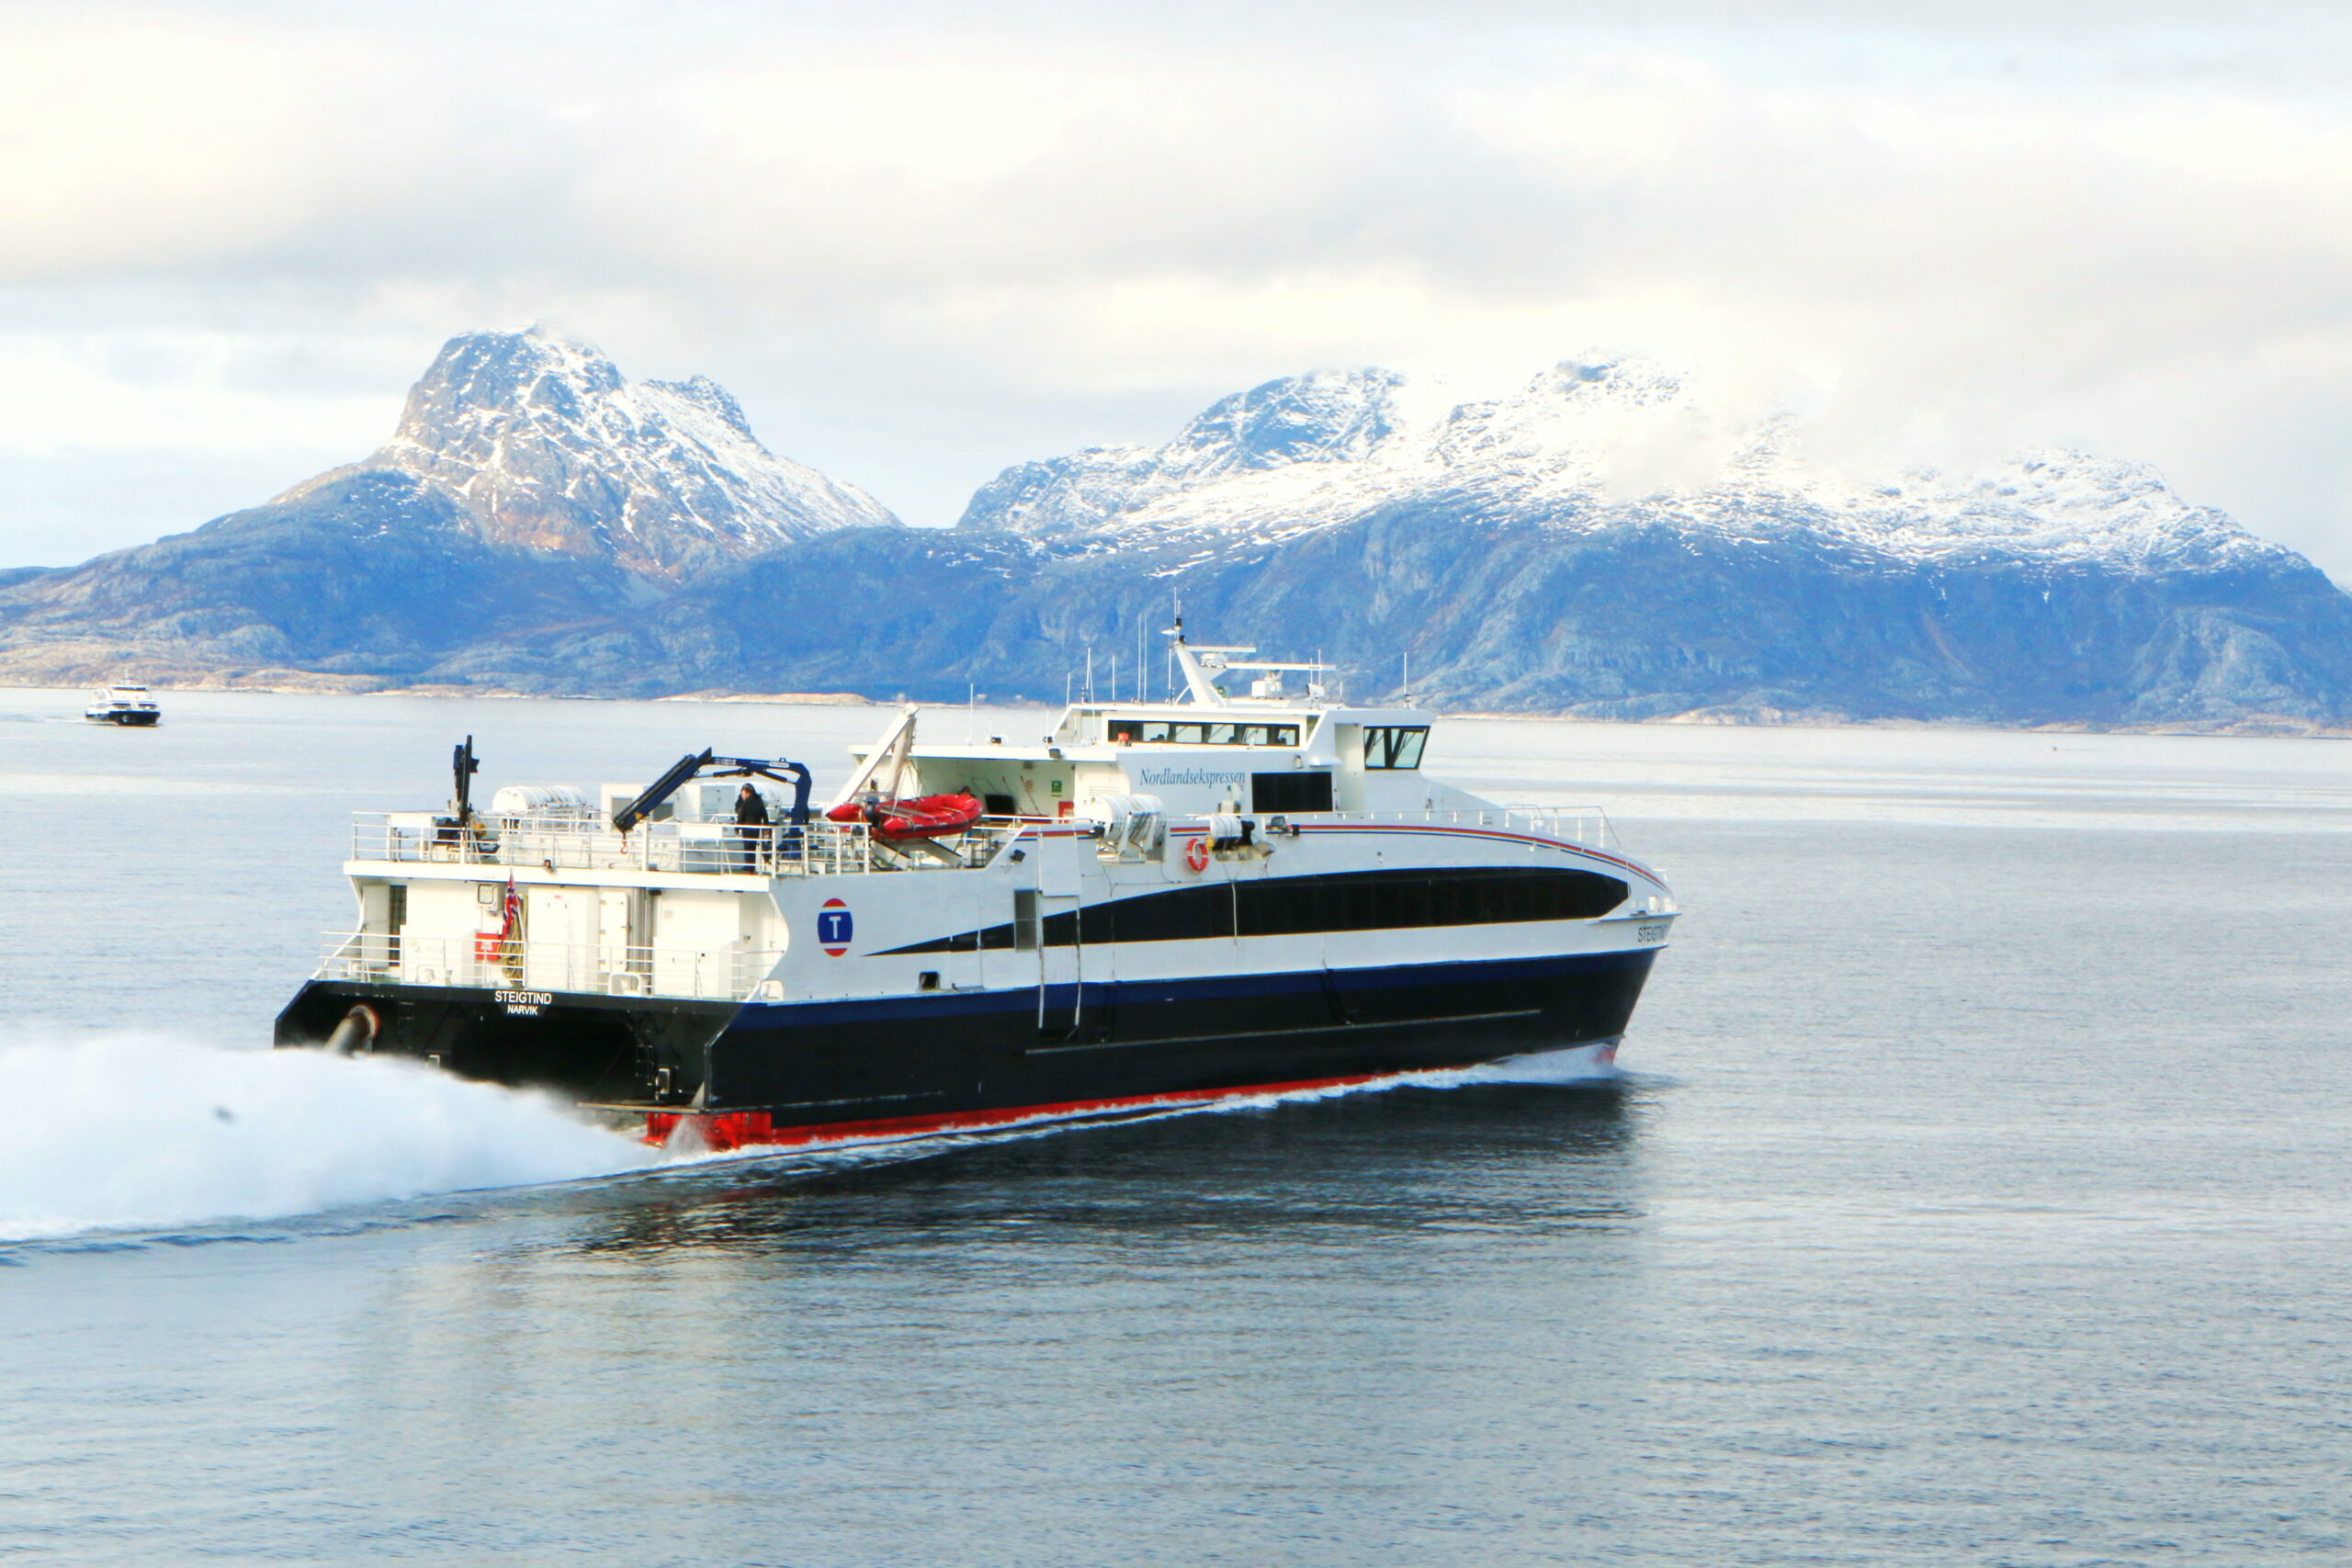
(1161, 904)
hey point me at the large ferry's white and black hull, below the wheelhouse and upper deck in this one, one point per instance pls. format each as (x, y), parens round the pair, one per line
(1062, 981)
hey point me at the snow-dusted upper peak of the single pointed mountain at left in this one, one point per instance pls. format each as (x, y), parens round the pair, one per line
(542, 443)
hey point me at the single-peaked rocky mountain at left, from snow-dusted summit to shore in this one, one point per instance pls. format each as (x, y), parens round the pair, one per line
(528, 495)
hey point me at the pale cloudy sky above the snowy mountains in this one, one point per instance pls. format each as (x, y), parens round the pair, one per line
(930, 241)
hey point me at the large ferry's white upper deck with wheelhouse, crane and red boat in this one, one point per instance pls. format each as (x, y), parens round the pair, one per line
(1276, 756)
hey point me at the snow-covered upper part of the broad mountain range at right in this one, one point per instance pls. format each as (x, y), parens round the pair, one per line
(1584, 448)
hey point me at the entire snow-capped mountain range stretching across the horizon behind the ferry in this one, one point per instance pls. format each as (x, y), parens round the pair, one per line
(1591, 544)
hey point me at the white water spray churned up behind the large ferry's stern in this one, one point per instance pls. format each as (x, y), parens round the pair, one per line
(138, 1132)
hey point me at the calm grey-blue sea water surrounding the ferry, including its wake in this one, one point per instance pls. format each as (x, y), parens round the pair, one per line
(1979, 1193)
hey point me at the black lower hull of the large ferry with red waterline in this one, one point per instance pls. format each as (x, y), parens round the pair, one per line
(949, 1057)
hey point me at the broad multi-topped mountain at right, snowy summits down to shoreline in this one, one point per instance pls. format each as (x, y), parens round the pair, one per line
(1596, 544)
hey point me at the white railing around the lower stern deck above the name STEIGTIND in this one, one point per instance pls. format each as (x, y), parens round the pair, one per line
(599, 970)
